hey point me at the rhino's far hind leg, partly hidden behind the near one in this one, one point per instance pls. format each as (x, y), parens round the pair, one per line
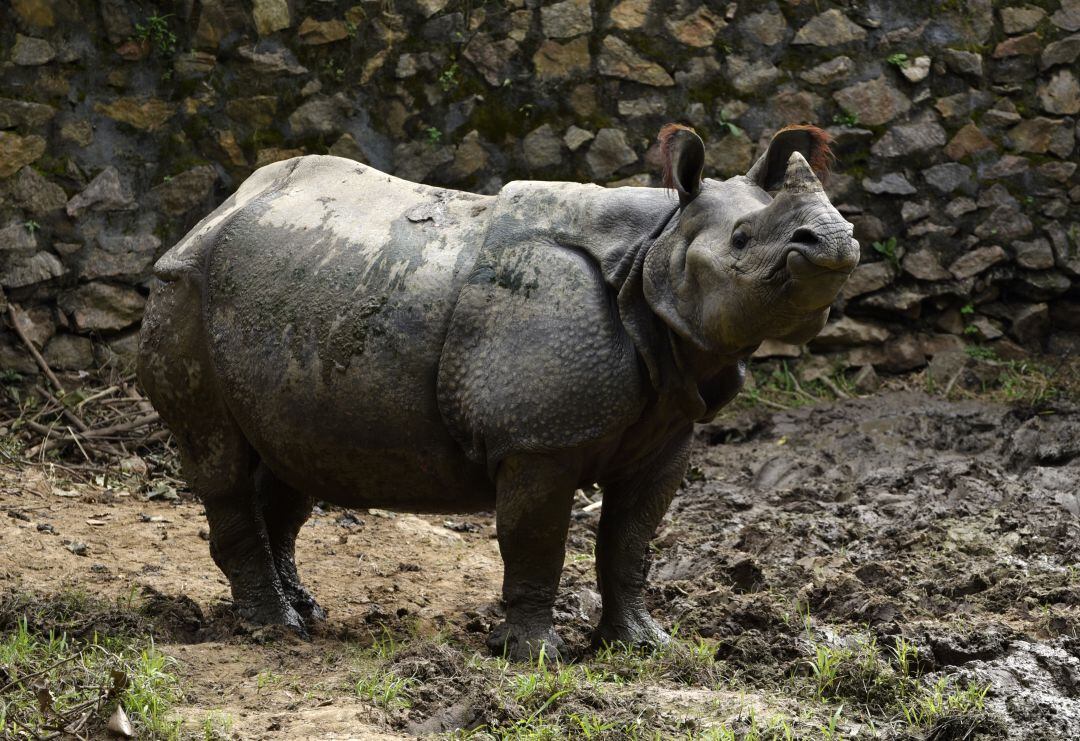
(285, 511)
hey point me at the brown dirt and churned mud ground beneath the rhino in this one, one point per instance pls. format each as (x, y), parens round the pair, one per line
(954, 526)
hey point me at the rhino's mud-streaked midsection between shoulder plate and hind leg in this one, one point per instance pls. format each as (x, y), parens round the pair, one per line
(328, 304)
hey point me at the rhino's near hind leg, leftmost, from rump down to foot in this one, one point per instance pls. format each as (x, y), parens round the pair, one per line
(175, 371)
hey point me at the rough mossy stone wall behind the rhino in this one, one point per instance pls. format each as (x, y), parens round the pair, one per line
(123, 123)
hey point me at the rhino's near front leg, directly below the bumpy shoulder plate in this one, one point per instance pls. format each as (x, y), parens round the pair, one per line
(533, 513)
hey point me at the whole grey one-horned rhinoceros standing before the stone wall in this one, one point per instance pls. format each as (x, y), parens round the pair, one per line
(333, 333)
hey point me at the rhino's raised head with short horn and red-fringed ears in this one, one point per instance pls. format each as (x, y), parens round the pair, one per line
(758, 257)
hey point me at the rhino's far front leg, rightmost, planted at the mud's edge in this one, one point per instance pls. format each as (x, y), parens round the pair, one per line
(633, 508)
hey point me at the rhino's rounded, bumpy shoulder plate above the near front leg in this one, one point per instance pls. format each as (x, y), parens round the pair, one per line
(535, 359)
